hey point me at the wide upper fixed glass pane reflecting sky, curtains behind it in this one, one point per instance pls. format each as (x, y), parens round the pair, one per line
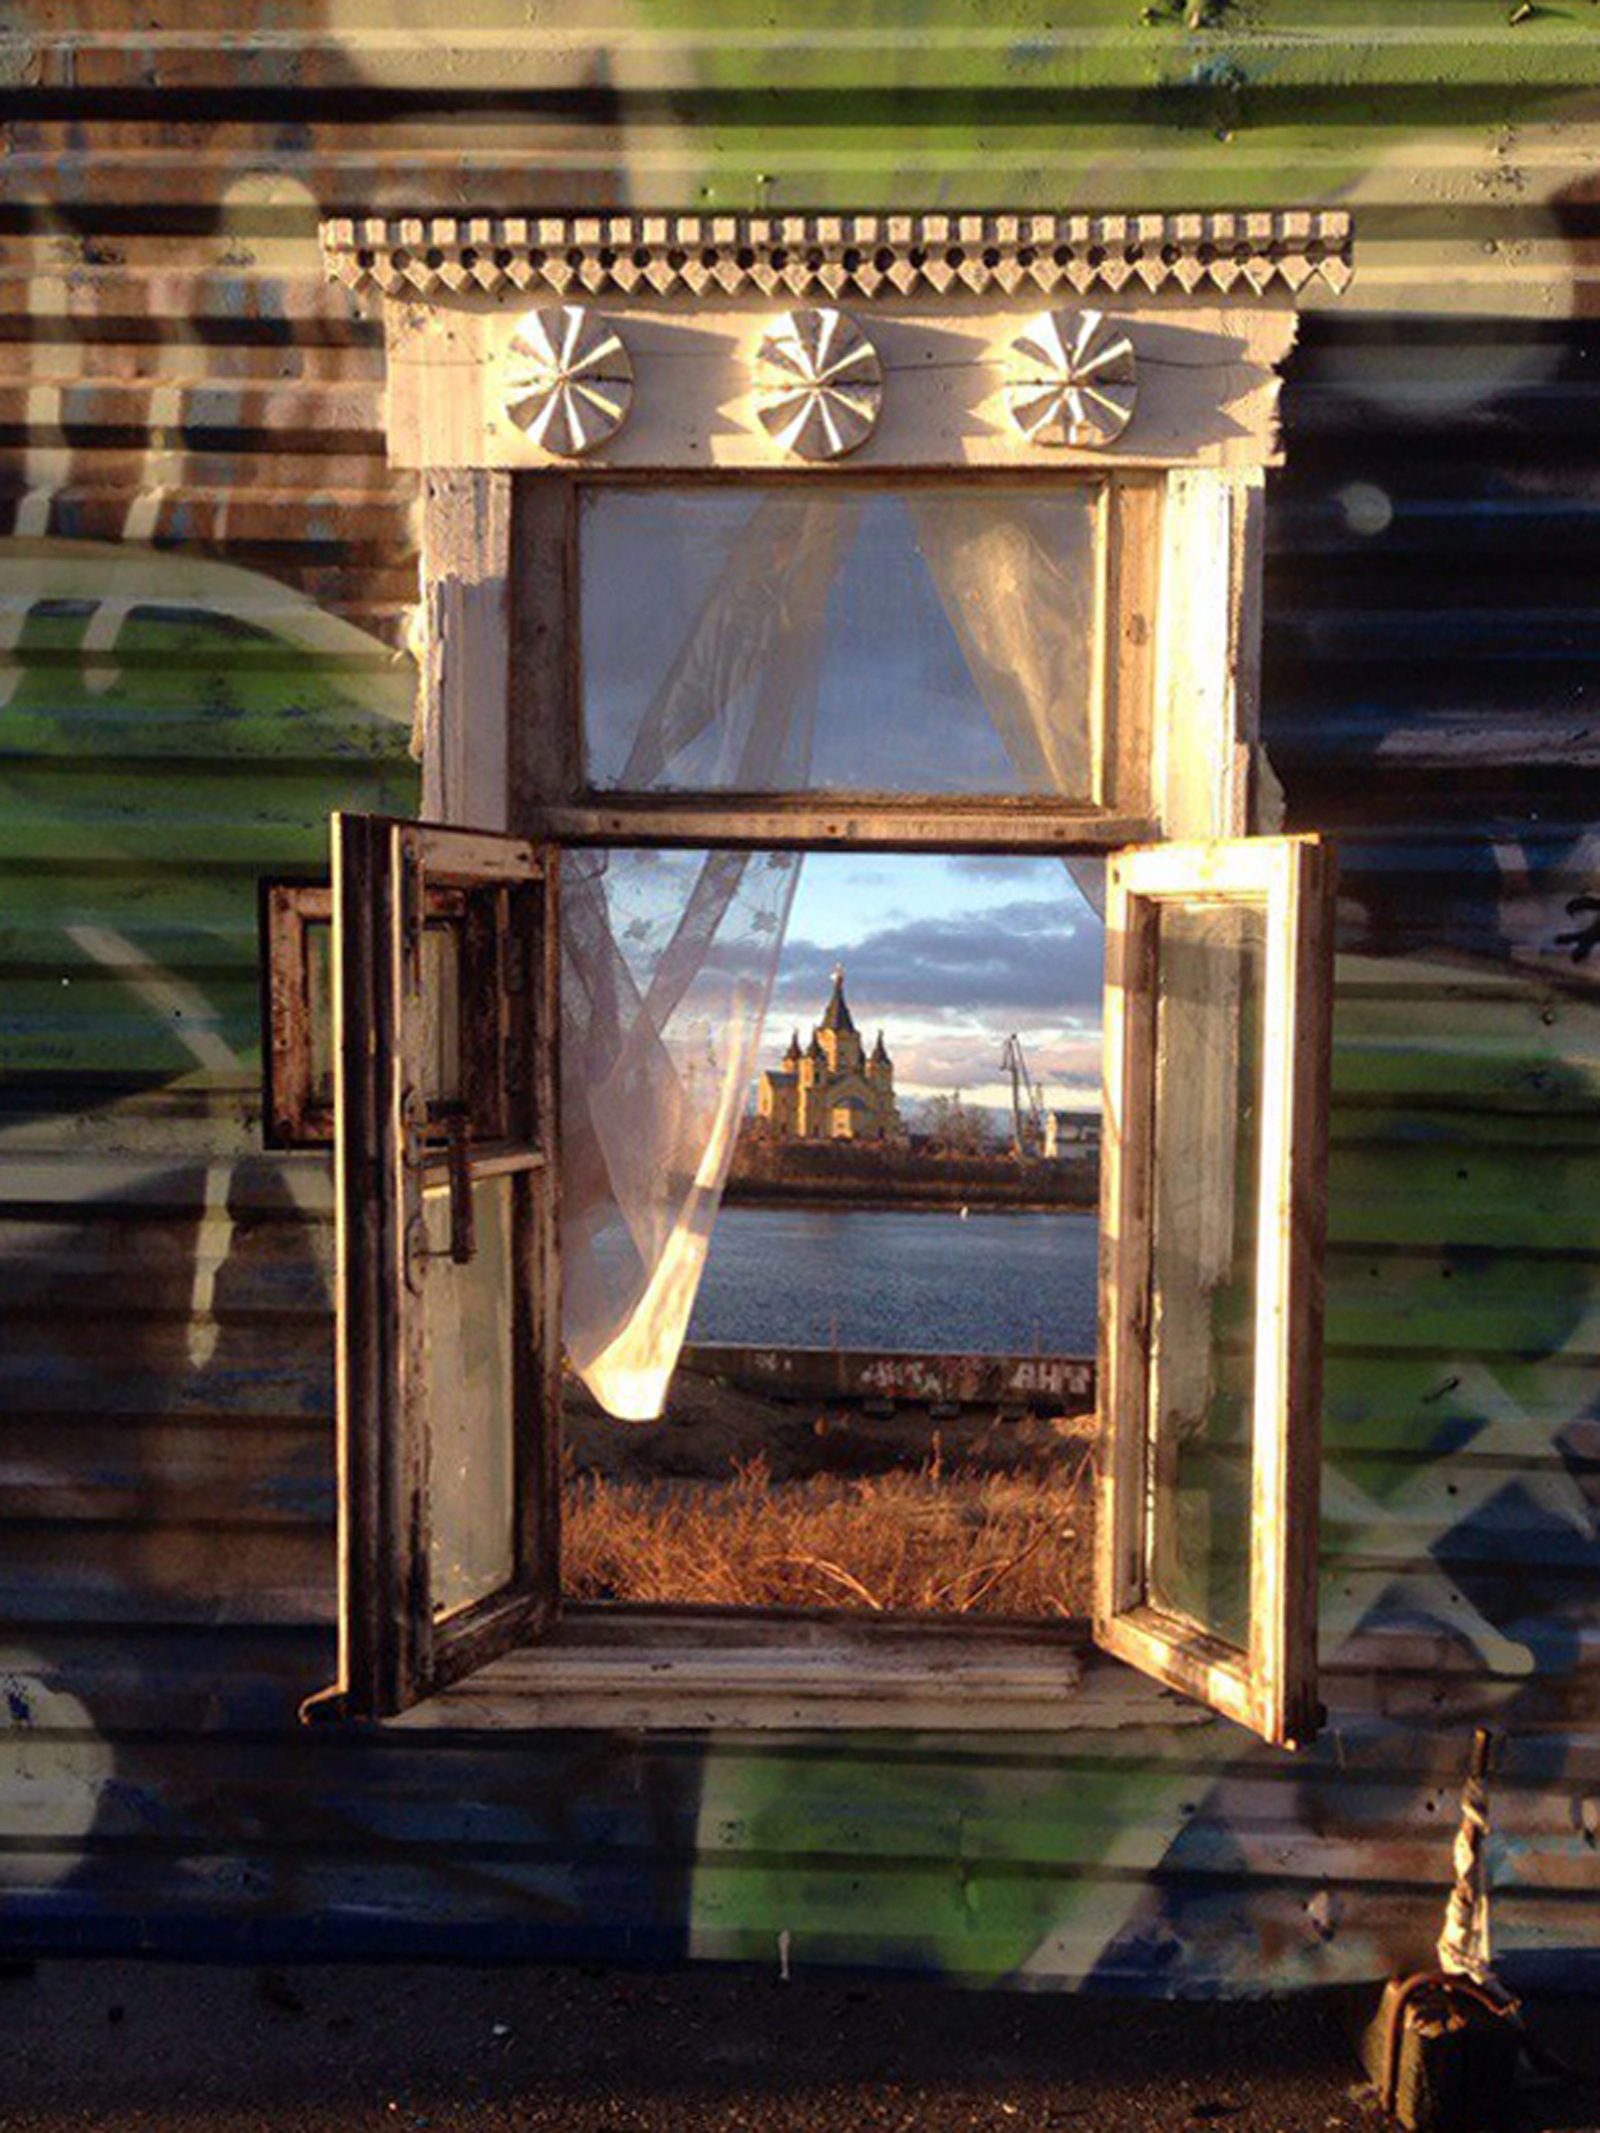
(769, 641)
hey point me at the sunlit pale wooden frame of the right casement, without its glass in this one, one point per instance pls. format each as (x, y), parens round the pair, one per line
(1273, 1686)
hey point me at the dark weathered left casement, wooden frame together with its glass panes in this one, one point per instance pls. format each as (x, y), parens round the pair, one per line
(445, 1010)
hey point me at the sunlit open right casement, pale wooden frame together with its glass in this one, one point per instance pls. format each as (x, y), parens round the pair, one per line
(1217, 1042)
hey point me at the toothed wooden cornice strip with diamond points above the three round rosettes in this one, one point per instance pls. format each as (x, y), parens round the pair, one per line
(831, 257)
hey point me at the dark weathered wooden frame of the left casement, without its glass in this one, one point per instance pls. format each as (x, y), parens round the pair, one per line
(389, 1153)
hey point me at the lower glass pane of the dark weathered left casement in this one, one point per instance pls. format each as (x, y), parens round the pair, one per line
(468, 1332)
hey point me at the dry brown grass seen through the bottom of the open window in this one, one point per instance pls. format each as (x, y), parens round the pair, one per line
(921, 1541)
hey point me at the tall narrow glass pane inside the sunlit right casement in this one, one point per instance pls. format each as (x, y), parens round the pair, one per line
(1204, 1262)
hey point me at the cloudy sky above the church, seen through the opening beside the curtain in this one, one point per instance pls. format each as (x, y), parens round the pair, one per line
(950, 955)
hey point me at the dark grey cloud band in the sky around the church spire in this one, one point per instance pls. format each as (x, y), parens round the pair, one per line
(1034, 955)
